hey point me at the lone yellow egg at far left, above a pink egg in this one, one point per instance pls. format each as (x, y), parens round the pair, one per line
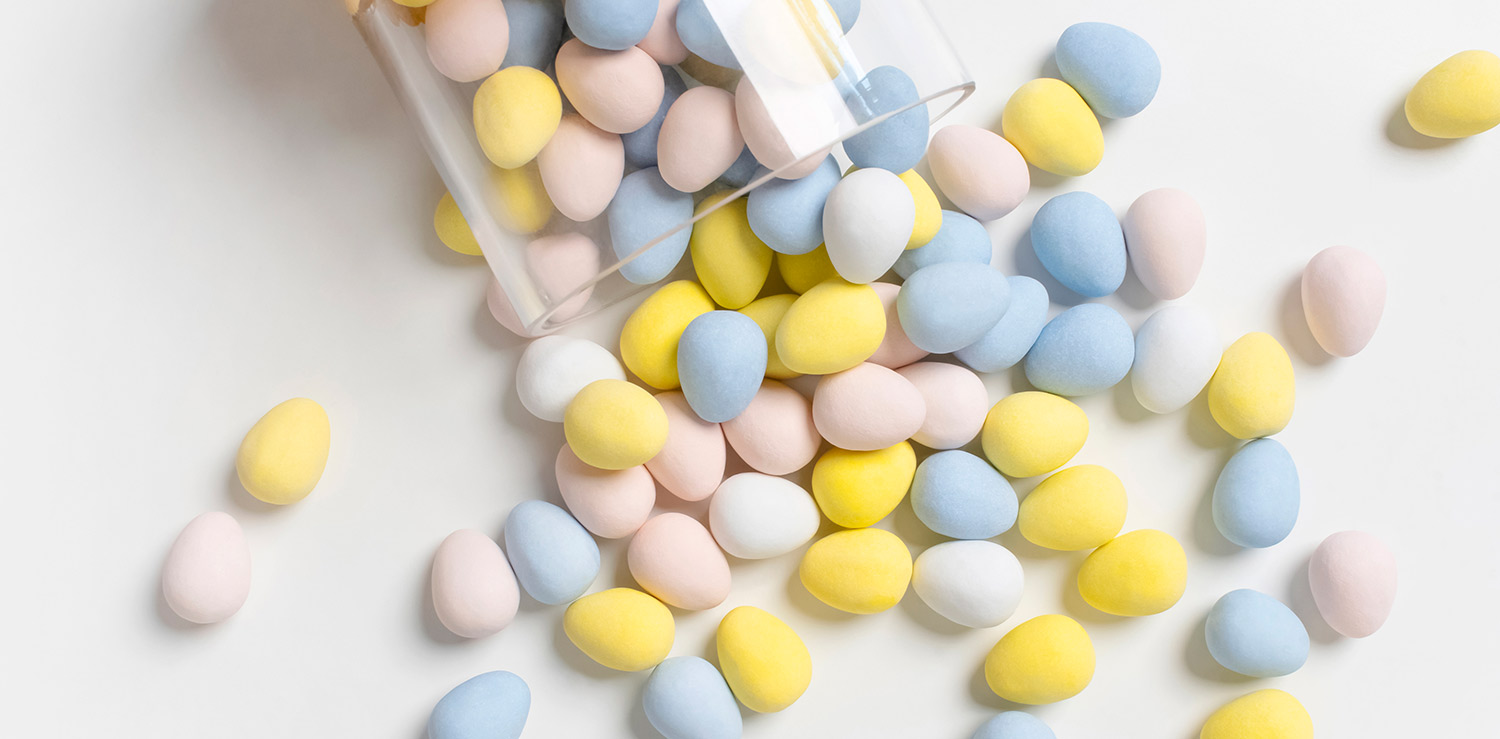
(283, 456)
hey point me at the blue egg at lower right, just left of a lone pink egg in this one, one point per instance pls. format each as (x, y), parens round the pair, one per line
(1256, 635)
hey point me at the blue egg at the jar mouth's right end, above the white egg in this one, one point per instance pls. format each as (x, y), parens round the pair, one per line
(898, 143)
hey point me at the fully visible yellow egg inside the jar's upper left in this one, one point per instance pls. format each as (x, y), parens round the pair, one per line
(515, 115)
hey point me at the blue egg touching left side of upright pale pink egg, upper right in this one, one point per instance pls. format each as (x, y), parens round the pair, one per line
(1081, 244)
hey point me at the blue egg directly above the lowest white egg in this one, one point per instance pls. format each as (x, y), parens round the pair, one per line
(962, 497)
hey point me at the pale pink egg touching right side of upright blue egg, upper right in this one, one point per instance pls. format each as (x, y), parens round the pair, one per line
(1166, 238)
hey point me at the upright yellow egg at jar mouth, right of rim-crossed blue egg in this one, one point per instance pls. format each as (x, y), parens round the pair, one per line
(730, 260)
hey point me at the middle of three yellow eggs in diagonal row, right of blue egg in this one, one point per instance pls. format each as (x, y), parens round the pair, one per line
(1078, 509)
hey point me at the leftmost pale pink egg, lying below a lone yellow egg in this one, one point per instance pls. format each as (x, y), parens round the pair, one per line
(206, 576)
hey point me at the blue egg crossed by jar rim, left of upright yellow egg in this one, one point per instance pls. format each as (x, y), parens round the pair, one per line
(644, 209)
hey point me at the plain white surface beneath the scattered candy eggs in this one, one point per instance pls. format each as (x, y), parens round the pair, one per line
(215, 206)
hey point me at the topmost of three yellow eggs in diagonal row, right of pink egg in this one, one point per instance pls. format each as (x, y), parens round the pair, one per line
(1033, 434)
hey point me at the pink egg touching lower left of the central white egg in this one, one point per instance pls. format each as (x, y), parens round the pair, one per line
(674, 558)
